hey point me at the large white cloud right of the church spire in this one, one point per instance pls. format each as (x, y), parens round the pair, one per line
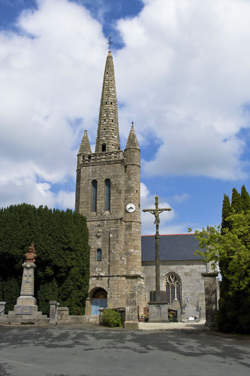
(183, 76)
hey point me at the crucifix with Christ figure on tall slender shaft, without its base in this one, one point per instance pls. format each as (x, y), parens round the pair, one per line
(156, 212)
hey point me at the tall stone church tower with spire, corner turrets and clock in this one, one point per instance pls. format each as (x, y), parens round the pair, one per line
(108, 195)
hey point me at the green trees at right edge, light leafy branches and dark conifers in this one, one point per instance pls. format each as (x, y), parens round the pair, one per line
(228, 246)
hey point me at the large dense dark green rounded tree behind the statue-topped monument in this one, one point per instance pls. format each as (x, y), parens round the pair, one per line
(61, 242)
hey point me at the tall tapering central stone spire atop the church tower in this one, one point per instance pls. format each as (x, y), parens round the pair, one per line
(108, 129)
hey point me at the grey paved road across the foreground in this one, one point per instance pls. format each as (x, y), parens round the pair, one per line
(27, 351)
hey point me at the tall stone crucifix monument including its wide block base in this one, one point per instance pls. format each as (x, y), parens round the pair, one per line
(158, 305)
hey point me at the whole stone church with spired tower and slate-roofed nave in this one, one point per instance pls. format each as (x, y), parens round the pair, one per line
(122, 261)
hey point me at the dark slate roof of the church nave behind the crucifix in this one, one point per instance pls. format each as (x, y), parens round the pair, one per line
(172, 247)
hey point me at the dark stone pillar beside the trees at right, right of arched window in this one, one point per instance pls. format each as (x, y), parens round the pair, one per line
(210, 286)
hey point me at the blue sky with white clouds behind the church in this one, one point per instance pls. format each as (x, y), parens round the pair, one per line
(182, 76)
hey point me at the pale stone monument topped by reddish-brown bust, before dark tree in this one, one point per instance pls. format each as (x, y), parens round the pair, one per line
(26, 308)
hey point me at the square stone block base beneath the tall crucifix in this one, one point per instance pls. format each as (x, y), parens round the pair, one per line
(158, 307)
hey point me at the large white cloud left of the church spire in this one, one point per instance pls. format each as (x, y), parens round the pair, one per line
(50, 70)
